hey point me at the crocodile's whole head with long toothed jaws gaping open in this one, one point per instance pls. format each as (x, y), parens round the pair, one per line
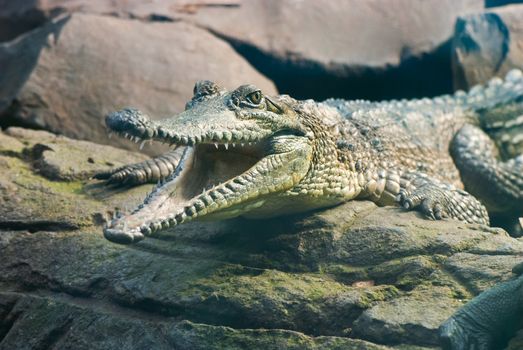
(238, 148)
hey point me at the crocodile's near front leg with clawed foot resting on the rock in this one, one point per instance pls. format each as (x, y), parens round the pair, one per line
(436, 200)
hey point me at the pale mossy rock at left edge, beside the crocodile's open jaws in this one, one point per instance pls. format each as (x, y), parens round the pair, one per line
(32, 198)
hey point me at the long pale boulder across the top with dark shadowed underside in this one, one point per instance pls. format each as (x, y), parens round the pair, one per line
(364, 50)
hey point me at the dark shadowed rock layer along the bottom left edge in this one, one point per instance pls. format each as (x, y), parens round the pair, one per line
(71, 325)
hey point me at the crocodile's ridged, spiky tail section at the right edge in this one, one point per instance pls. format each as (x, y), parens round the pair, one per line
(499, 106)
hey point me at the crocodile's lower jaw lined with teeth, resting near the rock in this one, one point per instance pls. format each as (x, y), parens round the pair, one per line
(240, 195)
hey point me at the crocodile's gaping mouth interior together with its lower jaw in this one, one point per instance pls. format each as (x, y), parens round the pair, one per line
(209, 179)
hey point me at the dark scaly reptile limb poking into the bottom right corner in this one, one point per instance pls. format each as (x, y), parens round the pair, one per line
(487, 321)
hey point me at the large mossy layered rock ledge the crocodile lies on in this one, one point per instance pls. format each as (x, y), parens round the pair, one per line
(352, 277)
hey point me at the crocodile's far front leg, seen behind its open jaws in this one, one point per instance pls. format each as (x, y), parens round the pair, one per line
(151, 170)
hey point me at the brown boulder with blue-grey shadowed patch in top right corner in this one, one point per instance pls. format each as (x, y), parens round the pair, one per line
(486, 45)
